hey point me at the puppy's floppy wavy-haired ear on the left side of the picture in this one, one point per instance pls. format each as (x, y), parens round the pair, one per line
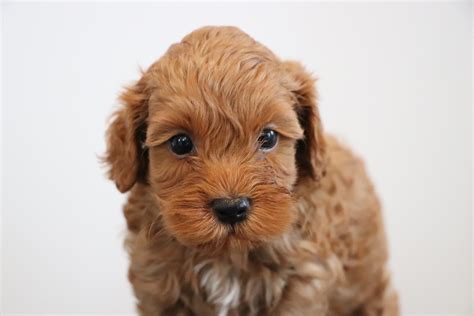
(126, 156)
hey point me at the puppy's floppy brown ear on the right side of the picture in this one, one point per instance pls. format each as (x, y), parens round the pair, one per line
(310, 151)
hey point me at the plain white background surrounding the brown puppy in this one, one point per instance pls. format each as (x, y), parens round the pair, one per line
(395, 83)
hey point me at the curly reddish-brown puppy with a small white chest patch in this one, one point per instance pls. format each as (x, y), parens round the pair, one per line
(239, 203)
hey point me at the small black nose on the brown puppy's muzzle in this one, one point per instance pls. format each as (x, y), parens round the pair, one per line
(231, 211)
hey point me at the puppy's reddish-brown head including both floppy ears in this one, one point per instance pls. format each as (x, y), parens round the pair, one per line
(220, 130)
